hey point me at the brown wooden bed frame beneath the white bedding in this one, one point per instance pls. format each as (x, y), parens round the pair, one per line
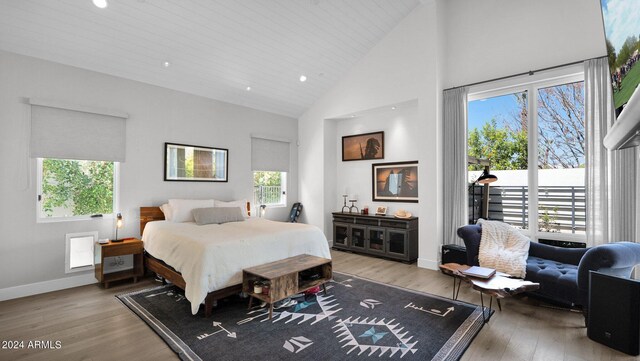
(150, 214)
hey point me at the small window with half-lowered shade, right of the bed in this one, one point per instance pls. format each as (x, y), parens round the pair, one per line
(270, 163)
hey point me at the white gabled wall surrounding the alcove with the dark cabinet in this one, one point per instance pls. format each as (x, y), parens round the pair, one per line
(402, 67)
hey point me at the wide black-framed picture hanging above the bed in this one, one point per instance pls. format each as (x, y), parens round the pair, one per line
(192, 163)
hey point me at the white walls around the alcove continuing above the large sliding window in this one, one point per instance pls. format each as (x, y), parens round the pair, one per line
(442, 43)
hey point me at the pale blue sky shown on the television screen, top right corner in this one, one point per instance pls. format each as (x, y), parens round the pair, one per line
(621, 20)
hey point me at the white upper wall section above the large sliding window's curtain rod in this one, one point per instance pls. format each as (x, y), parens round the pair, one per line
(488, 39)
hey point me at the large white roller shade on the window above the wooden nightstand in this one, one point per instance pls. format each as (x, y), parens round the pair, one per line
(76, 133)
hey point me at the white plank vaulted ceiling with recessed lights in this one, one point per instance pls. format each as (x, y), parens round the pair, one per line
(213, 48)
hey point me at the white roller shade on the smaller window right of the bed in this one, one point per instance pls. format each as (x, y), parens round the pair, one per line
(269, 155)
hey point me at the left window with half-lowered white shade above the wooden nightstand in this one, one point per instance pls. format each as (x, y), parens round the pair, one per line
(78, 151)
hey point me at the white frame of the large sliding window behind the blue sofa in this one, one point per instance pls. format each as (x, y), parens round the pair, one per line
(531, 85)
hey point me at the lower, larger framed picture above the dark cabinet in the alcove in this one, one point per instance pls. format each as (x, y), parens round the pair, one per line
(395, 182)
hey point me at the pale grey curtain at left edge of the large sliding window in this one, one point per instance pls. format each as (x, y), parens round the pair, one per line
(454, 163)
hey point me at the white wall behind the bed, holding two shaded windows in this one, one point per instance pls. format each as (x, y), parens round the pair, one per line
(31, 252)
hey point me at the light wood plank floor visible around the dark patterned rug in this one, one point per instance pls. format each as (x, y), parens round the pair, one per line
(93, 325)
